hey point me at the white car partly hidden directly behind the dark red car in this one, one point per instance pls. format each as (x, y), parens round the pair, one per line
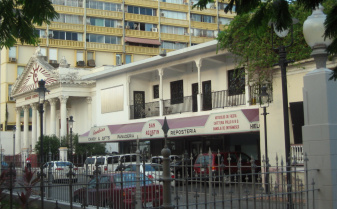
(152, 170)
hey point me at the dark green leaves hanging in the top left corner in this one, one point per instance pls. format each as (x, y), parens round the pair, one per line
(17, 19)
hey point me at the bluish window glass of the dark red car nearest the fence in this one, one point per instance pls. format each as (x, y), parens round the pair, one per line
(129, 180)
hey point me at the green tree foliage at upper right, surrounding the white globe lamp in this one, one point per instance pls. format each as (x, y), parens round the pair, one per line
(249, 35)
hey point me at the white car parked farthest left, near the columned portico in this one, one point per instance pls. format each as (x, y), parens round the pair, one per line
(60, 171)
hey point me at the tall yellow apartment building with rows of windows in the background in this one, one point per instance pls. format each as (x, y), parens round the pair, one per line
(110, 32)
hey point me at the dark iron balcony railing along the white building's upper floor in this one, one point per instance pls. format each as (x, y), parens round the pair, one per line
(215, 100)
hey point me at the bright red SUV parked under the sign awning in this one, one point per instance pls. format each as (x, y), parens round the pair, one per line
(221, 164)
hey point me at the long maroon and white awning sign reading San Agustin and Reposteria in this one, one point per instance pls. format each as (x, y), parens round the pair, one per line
(238, 121)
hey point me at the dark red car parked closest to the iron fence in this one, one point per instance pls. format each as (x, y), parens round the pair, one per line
(117, 190)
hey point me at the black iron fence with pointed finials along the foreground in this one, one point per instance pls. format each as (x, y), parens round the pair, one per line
(215, 181)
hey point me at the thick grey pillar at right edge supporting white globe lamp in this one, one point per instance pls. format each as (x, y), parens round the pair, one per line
(320, 135)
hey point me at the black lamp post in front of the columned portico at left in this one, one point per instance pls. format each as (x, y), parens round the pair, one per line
(42, 93)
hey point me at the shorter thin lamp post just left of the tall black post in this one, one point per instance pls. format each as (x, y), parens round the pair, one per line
(264, 103)
